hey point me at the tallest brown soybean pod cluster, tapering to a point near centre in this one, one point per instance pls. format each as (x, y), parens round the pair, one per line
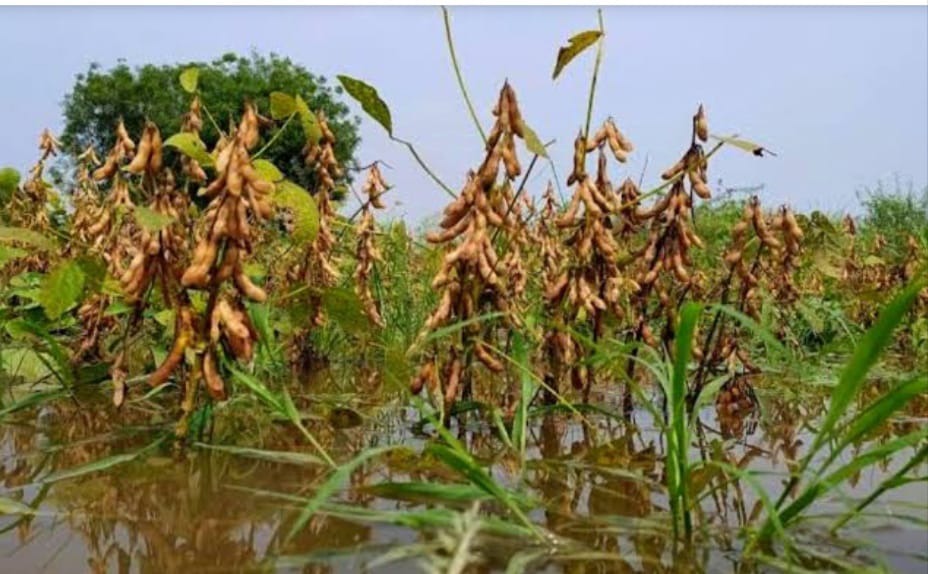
(473, 278)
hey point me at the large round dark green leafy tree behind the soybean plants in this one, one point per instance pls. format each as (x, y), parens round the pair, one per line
(100, 98)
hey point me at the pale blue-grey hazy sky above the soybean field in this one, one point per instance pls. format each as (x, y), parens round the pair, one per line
(840, 94)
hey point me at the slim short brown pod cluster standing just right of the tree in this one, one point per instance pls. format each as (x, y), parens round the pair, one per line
(367, 253)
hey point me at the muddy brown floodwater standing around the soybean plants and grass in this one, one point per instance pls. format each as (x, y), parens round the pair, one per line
(596, 487)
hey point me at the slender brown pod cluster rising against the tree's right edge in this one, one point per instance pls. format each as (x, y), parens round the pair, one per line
(319, 267)
